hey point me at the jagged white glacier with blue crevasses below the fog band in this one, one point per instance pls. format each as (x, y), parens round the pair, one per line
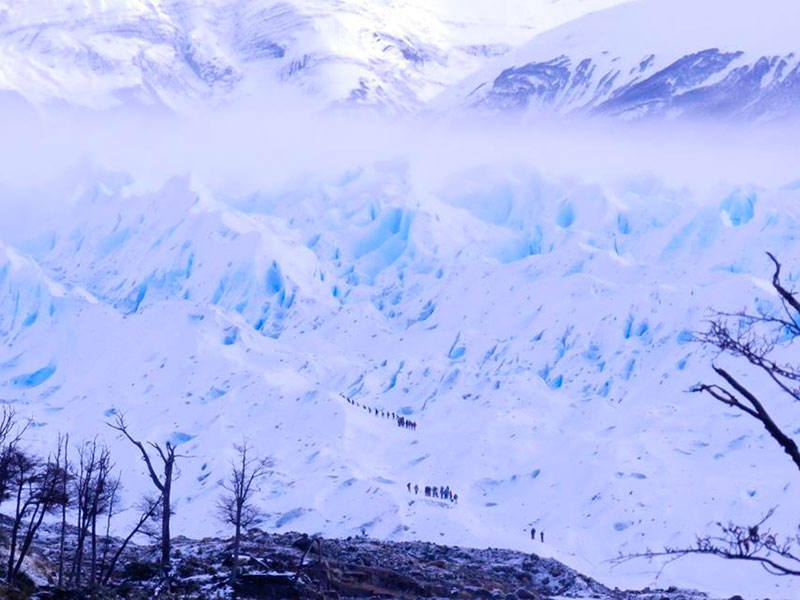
(536, 329)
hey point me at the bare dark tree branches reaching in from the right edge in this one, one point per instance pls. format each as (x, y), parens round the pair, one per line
(755, 338)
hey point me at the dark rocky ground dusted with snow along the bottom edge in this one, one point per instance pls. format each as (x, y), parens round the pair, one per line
(294, 566)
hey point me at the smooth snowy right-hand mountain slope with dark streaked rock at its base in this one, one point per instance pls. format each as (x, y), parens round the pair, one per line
(730, 59)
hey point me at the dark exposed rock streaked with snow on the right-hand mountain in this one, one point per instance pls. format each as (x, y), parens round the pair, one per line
(701, 84)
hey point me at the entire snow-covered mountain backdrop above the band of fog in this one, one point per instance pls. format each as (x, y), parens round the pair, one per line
(715, 58)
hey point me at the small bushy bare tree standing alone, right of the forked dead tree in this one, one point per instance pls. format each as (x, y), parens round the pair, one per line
(235, 506)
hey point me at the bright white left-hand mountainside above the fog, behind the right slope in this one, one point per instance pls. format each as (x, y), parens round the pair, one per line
(176, 53)
